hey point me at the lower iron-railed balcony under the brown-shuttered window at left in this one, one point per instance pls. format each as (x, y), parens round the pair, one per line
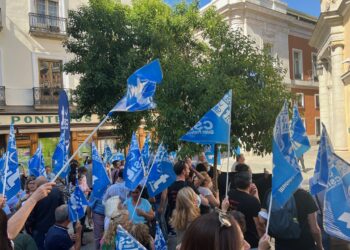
(47, 98)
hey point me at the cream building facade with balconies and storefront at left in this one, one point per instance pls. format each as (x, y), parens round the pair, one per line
(31, 77)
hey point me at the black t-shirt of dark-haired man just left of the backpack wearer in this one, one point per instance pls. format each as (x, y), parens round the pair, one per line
(250, 207)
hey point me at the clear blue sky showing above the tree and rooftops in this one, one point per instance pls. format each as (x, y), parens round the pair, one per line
(311, 7)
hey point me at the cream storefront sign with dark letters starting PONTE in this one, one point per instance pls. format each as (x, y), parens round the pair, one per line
(43, 120)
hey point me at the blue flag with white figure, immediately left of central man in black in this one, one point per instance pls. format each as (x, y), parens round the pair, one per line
(162, 173)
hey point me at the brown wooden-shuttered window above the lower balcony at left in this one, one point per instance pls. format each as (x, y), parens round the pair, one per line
(50, 74)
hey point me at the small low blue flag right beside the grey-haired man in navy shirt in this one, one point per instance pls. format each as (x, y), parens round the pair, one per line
(76, 205)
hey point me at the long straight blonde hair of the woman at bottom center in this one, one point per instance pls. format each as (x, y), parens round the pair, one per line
(186, 211)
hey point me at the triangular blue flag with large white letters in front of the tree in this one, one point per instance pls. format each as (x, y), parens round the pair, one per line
(214, 126)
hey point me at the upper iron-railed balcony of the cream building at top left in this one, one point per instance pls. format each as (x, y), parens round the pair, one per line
(47, 26)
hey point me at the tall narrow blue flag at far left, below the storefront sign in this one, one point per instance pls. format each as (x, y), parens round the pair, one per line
(10, 166)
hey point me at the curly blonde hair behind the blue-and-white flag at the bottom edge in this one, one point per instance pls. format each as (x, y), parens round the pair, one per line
(109, 237)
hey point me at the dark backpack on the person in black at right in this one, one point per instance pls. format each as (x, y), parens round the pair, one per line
(284, 222)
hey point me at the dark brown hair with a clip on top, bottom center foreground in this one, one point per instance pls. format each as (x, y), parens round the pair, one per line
(207, 233)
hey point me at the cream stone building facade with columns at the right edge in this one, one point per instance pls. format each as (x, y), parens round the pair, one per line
(332, 39)
